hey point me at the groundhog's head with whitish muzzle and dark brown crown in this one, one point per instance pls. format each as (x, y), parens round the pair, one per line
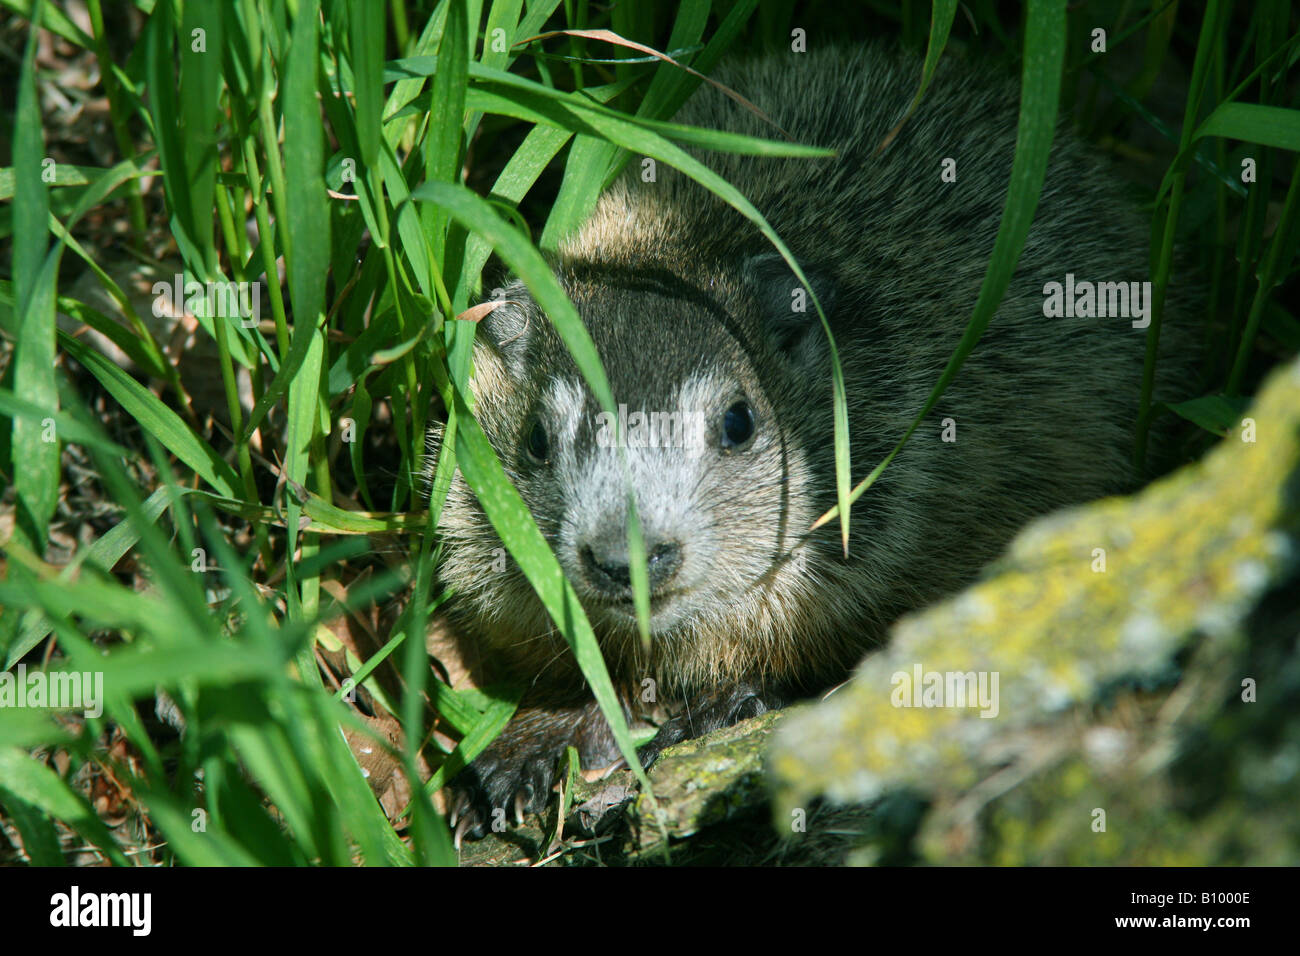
(723, 404)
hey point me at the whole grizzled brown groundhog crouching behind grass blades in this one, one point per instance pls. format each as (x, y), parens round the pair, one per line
(697, 321)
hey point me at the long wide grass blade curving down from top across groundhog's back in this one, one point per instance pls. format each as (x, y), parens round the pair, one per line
(1041, 83)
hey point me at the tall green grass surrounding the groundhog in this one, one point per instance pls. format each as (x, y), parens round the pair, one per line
(354, 168)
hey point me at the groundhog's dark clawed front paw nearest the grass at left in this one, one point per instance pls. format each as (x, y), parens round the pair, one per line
(500, 789)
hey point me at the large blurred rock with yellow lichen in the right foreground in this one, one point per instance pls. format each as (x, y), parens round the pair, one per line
(1121, 687)
